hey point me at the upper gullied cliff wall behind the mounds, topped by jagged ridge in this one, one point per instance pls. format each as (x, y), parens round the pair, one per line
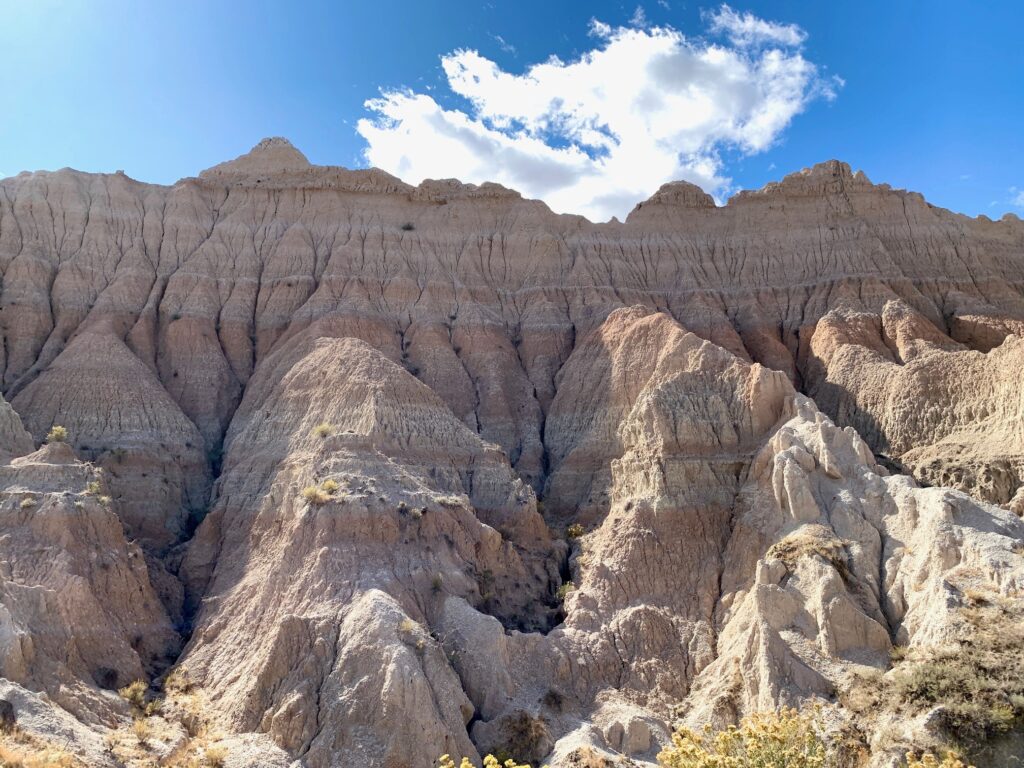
(483, 293)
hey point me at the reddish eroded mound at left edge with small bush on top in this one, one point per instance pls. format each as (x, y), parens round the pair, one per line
(78, 615)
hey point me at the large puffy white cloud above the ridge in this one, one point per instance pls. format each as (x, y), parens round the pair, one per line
(601, 134)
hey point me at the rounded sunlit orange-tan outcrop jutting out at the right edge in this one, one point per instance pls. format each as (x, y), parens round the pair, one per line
(952, 415)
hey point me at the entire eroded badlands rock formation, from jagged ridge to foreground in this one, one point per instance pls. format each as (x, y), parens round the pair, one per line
(361, 474)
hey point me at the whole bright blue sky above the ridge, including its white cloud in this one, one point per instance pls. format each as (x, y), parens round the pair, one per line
(928, 97)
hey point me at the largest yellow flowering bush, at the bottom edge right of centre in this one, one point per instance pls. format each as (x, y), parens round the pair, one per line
(784, 740)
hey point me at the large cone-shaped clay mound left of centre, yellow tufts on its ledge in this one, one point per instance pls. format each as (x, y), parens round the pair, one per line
(334, 600)
